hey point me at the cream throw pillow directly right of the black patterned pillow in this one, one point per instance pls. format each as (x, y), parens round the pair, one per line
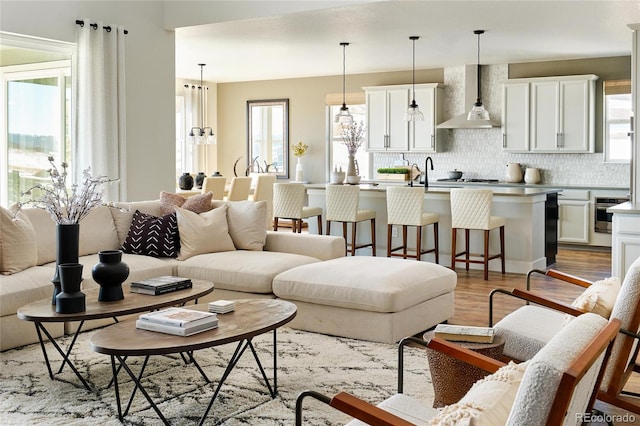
(203, 233)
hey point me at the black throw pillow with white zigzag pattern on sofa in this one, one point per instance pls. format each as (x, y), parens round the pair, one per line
(152, 236)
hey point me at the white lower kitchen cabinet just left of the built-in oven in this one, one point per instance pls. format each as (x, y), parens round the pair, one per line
(574, 208)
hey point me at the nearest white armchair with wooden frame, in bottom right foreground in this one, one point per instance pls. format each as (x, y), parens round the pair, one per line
(558, 383)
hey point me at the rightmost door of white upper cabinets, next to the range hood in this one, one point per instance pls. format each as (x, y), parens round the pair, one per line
(423, 135)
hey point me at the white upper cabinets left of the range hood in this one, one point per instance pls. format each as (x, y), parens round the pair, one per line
(387, 129)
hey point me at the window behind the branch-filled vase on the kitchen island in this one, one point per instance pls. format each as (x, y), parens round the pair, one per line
(338, 156)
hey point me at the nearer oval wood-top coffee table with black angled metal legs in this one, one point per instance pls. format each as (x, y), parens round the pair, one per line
(251, 317)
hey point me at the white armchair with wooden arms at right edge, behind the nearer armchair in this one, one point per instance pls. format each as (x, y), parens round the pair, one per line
(529, 328)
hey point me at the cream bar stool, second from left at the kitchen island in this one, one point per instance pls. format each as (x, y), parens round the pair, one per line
(342, 206)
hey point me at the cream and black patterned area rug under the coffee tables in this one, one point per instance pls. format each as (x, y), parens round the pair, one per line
(305, 361)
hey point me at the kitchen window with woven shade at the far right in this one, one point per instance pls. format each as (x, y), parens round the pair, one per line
(617, 121)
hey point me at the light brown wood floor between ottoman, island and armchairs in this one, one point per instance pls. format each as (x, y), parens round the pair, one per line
(472, 295)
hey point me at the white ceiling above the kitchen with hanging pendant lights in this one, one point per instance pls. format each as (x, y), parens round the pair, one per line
(307, 44)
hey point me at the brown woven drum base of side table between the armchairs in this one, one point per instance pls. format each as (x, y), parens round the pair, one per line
(453, 378)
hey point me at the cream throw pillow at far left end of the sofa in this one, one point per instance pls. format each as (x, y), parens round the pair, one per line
(18, 250)
